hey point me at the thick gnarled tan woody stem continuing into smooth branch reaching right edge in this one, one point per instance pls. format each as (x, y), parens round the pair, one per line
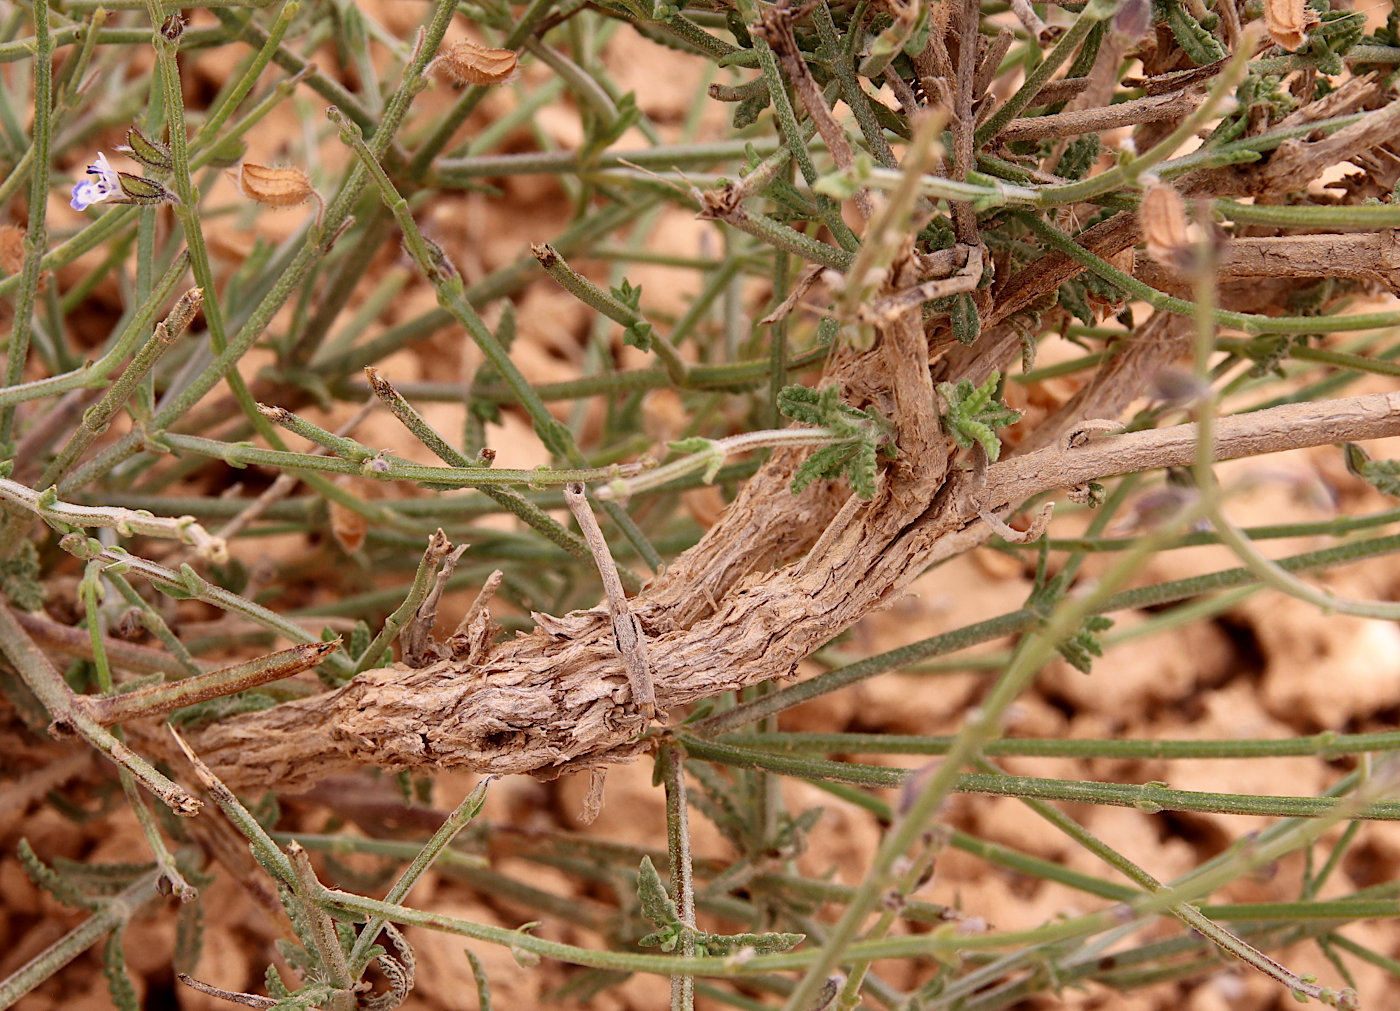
(552, 701)
